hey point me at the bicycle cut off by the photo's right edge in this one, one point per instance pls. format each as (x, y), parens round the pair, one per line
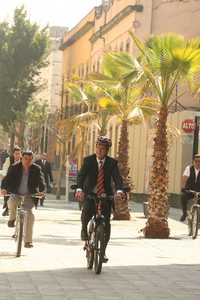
(193, 216)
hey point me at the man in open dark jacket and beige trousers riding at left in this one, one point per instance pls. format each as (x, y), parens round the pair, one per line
(25, 179)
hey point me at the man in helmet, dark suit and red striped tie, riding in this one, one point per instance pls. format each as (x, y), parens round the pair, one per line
(95, 177)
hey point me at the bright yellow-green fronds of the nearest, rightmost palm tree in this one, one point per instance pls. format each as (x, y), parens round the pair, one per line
(167, 59)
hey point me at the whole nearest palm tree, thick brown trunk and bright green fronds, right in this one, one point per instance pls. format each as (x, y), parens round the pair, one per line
(165, 60)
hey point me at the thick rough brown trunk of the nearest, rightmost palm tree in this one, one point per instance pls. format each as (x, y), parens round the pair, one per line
(158, 207)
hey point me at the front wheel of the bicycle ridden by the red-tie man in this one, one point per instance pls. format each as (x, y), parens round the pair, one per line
(99, 248)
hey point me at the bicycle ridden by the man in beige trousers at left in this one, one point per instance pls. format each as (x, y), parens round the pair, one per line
(20, 215)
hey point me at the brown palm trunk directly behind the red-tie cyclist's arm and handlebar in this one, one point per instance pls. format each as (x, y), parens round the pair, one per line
(121, 206)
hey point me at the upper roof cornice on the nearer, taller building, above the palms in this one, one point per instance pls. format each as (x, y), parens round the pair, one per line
(115, 20)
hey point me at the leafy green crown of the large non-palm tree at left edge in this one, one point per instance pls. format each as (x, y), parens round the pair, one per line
(23, 52)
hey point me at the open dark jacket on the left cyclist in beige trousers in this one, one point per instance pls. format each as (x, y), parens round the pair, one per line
(13, 179)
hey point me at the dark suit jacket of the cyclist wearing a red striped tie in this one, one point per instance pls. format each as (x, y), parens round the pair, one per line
(87, 177)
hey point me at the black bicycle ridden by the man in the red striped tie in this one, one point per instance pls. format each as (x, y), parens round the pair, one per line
(95, 245)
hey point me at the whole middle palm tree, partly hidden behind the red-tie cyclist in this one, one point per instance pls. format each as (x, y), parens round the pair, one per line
(125, 99)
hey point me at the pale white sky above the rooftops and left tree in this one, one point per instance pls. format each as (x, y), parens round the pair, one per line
(65, 13)
